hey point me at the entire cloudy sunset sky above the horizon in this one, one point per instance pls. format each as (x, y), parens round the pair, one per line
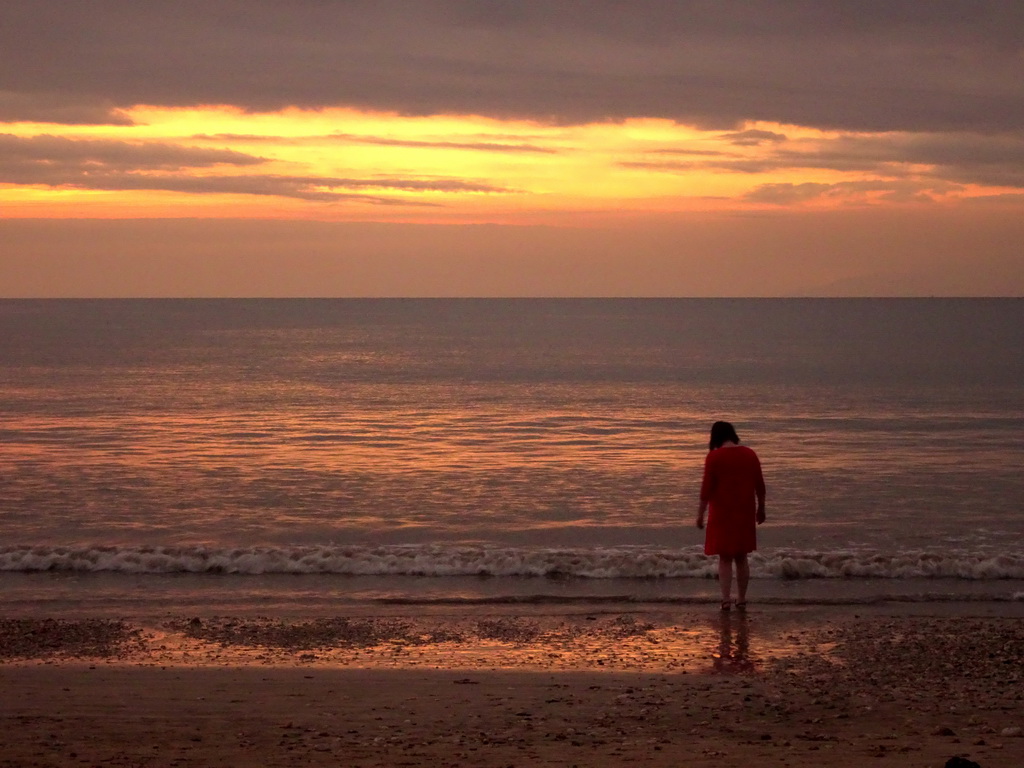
(529, 148)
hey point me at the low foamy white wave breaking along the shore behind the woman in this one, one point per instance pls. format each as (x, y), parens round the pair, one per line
(452, 561)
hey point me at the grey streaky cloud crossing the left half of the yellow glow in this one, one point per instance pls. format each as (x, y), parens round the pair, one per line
(110, 165)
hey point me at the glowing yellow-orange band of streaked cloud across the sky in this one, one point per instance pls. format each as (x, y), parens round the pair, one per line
(352, 165)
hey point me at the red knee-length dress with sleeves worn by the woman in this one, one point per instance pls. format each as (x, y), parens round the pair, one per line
(733, 485)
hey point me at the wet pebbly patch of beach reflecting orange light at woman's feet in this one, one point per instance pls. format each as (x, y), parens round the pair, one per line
(729, 644)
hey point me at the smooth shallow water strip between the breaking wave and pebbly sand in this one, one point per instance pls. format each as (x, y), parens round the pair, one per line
(115, 594)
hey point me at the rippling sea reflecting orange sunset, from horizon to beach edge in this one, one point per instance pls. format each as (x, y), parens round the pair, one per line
(491, 450)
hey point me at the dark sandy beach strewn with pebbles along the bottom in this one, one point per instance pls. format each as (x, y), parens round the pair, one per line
(523, 687)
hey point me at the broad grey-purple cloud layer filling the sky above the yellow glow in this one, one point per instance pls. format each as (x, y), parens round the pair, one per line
(874, 66)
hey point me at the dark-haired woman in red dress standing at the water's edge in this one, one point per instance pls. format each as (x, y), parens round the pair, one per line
(734, 489)
